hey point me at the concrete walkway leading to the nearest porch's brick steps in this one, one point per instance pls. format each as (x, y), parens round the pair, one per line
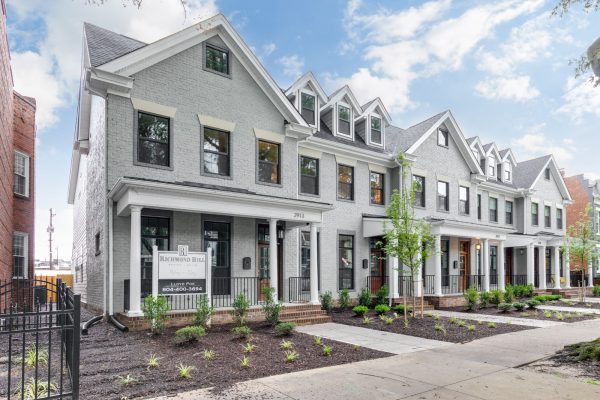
(371, 338)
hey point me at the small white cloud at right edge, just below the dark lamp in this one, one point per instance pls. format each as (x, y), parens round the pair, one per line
(581, 97)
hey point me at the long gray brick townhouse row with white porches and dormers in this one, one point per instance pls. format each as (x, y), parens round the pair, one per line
(189, 141)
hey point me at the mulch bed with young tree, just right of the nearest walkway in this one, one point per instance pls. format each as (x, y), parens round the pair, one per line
(425, 327)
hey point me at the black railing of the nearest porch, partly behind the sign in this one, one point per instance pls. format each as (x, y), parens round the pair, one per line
(224, 291)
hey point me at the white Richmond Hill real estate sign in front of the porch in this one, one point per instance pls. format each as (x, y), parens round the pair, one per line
(180, 272)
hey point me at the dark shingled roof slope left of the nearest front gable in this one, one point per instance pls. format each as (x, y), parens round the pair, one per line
(104, 45)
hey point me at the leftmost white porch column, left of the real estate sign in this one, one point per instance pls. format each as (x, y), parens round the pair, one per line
(135, 262)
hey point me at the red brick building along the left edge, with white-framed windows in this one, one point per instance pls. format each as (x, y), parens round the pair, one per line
(17, 174)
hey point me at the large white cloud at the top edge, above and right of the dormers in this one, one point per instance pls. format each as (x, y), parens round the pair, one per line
(405, 45)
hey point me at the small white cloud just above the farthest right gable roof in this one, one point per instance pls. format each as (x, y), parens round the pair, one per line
(536, 143)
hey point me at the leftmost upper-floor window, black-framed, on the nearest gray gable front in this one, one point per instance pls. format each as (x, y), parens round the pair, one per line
(153, 140)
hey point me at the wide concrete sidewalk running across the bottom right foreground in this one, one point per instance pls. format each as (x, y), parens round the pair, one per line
(481, 369)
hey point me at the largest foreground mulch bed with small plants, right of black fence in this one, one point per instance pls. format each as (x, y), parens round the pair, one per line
(107, 353)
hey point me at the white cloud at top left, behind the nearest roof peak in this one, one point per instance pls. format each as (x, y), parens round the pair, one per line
(50, 70)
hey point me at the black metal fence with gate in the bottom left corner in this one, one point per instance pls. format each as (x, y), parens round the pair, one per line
(40, 337)
